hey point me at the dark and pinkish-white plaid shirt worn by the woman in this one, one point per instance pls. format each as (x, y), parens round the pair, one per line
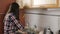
(11, 24)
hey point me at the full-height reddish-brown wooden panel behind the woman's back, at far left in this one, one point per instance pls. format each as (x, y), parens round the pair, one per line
(4, 4)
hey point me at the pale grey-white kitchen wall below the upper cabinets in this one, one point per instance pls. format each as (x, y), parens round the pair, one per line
(50, 19)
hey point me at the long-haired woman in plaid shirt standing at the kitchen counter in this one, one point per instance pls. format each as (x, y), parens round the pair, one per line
(11, 20)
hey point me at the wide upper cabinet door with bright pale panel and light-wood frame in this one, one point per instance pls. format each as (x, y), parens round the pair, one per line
(44, 3)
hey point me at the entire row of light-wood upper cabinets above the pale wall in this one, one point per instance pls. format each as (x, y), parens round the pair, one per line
(38, 3)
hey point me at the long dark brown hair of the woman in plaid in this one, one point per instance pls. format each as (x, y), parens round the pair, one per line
(15, 10)
